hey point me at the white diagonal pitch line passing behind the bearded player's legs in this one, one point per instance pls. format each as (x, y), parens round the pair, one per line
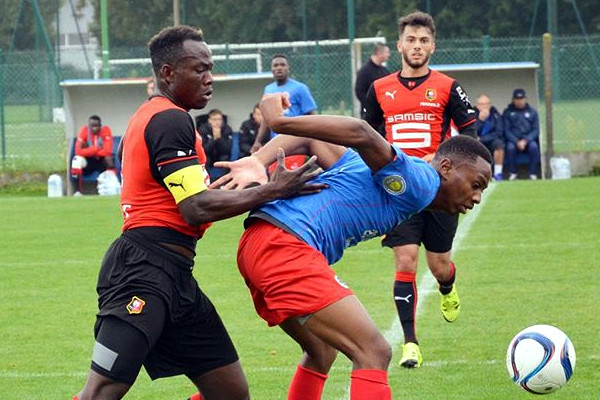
(427, 284)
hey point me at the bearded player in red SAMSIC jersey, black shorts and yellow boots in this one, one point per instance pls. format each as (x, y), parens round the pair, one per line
(418, 105)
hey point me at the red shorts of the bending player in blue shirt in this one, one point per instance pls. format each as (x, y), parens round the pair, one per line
(286, 276)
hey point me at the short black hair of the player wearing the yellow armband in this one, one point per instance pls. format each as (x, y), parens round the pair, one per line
(166, 47)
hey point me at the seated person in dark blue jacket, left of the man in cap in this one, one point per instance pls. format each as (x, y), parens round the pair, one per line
(490, 132)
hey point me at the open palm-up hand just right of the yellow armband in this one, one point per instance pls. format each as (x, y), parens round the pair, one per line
(242, 173)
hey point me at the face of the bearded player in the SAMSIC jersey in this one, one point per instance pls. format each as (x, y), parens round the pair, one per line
(416, 45)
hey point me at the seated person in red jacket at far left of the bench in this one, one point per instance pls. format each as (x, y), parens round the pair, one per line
(93, 151)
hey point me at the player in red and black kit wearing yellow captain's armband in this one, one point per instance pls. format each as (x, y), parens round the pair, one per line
(152, 312)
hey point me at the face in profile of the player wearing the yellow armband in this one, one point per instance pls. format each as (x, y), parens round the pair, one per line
(190, 79)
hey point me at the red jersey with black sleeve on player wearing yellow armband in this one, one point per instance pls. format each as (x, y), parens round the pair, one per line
(159, 140)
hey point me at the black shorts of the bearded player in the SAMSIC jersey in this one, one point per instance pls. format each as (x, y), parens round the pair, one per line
(435, 229)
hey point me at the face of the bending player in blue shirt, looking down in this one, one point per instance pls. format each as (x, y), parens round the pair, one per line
(463, 185)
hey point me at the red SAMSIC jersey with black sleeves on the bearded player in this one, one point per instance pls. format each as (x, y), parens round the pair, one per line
(418, 114)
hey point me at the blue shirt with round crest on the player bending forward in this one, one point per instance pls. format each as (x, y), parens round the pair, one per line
(358, 205)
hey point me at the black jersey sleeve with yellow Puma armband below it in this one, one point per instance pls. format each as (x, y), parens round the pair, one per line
(171, 140)
